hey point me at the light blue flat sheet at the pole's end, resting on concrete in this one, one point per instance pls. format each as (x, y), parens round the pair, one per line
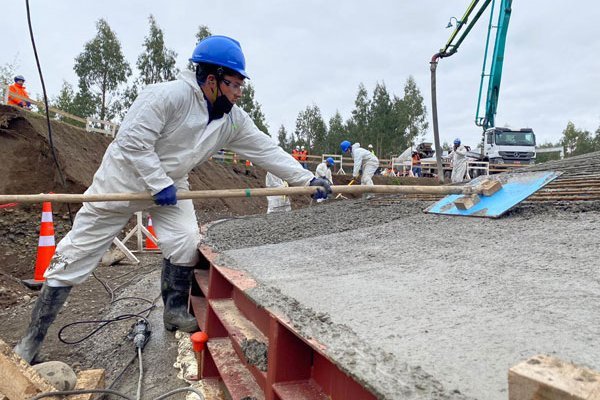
(516, 187)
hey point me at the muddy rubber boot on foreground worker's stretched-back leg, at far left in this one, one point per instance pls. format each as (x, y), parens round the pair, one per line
(47, 306)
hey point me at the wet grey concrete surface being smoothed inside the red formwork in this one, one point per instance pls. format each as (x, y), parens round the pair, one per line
(423, 306)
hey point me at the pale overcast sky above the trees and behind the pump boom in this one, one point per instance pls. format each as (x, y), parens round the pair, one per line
(304, 52)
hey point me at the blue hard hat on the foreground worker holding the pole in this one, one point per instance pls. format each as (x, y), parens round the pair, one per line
(223, 51)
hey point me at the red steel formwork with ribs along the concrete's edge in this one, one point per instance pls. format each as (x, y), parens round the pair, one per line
(296, 369)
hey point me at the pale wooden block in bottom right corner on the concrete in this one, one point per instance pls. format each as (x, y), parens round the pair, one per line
(548, 378)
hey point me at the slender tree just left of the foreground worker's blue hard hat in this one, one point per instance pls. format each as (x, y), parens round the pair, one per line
(156, 63)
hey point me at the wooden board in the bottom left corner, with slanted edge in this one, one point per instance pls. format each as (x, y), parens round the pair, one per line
(19, 380)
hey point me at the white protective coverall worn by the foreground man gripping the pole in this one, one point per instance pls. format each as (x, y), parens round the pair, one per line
(163, 136)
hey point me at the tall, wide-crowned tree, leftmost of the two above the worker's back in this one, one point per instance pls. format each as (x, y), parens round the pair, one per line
(101, 68)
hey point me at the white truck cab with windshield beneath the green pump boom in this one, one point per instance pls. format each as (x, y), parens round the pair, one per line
(508, 146)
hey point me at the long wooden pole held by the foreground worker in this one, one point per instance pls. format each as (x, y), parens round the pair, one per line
(229, 193)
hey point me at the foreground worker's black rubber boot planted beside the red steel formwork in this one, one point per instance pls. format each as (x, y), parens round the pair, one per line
(175, 288)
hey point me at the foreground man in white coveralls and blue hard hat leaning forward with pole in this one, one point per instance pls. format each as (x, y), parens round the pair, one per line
(170, 128)
